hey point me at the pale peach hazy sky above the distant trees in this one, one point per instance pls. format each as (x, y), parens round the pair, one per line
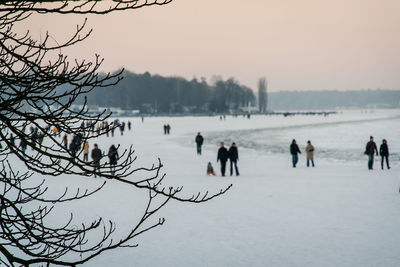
(296, 44)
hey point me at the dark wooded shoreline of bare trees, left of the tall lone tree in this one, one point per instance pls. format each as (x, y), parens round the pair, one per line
(156, 94)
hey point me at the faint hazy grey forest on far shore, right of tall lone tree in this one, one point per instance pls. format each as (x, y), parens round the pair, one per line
(323, 100)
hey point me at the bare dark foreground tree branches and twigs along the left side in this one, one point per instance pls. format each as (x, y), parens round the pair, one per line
(37, 92)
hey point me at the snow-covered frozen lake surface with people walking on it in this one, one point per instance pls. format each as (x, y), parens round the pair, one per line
(336, 214)
